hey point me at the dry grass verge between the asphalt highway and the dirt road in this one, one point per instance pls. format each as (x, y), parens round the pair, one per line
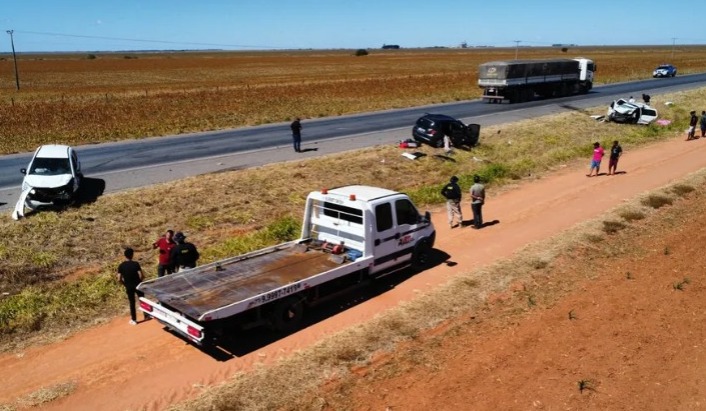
(75, 270)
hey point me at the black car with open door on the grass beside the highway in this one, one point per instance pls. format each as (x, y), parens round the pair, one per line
(431, 129)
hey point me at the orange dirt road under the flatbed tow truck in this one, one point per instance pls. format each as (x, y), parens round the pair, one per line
(116, 366)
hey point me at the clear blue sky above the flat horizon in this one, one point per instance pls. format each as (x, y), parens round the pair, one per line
(104, 25)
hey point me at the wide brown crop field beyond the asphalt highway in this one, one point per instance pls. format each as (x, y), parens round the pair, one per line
(77, 99)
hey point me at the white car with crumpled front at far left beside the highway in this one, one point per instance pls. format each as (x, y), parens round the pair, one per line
(52, 178)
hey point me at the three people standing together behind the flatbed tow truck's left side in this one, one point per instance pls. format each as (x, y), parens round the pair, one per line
(175, 254)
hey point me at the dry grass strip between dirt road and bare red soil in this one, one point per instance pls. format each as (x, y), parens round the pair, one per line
(401, 336)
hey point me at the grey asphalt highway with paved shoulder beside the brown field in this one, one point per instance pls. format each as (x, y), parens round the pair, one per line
(136, 163)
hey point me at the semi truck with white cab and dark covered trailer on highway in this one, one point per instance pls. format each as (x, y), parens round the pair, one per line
(517, 81)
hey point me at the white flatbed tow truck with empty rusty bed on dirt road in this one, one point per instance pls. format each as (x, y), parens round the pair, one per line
(350, 236)
